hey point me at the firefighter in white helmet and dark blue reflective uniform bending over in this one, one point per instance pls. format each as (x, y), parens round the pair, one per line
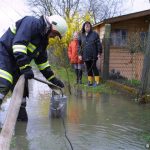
(26, 40)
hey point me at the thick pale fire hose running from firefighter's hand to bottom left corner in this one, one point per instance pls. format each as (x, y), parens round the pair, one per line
(12, 113)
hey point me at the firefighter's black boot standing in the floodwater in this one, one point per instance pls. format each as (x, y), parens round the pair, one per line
(22, 116)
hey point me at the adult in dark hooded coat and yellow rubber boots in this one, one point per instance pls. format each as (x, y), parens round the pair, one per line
(89, 50)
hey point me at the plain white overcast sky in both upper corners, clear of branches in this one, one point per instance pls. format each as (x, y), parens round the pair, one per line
(12, 10)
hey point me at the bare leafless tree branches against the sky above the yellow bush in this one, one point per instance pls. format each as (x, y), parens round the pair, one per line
(98, 9)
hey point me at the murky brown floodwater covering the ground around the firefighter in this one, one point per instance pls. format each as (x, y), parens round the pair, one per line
(92, 122)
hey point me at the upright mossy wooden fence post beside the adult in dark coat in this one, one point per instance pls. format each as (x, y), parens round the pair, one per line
(106, 51)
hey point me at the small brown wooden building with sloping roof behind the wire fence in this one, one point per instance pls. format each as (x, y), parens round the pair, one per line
(127, 31)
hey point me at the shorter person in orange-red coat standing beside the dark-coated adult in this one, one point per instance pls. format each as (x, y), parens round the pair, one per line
(73, 57)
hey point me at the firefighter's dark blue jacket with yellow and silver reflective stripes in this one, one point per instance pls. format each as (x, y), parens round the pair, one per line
(22, 42)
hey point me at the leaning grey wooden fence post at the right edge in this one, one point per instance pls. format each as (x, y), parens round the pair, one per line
(145, 80)
